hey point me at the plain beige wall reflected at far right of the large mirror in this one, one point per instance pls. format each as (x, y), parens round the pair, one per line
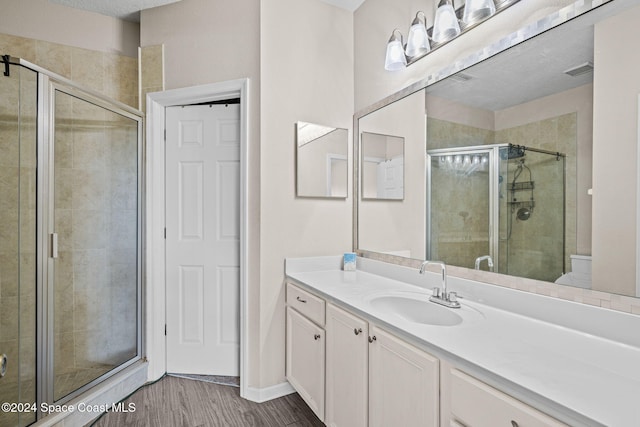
(615, 140)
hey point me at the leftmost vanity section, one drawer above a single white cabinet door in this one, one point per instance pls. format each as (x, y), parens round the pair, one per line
(305, 351)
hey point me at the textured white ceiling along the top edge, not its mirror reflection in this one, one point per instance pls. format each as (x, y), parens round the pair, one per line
(130, 9)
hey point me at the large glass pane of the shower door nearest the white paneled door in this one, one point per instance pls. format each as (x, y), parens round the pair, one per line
(95, 281)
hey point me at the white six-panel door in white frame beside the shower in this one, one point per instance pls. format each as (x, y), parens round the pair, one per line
(203, 239)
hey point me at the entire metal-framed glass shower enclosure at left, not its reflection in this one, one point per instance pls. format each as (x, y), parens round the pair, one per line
(70, 239)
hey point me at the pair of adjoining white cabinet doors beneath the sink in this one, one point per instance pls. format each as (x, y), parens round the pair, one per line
(375, 378)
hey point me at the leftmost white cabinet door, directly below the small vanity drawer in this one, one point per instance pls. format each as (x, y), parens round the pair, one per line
(305, 360)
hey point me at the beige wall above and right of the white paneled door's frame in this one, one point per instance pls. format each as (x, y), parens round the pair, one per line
(206, 41)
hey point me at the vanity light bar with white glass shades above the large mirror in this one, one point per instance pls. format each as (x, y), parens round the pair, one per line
(448, 24)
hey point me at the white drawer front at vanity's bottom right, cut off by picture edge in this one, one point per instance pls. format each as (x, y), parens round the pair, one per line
(475, 404)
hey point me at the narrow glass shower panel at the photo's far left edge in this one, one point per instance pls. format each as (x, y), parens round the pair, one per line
(18, 112)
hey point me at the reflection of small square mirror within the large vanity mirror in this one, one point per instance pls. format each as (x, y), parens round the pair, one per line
(382, 166)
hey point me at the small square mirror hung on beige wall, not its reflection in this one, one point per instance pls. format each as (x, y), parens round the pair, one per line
(321, 161)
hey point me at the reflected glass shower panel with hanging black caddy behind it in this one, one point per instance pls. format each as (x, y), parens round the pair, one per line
(532, 214)
